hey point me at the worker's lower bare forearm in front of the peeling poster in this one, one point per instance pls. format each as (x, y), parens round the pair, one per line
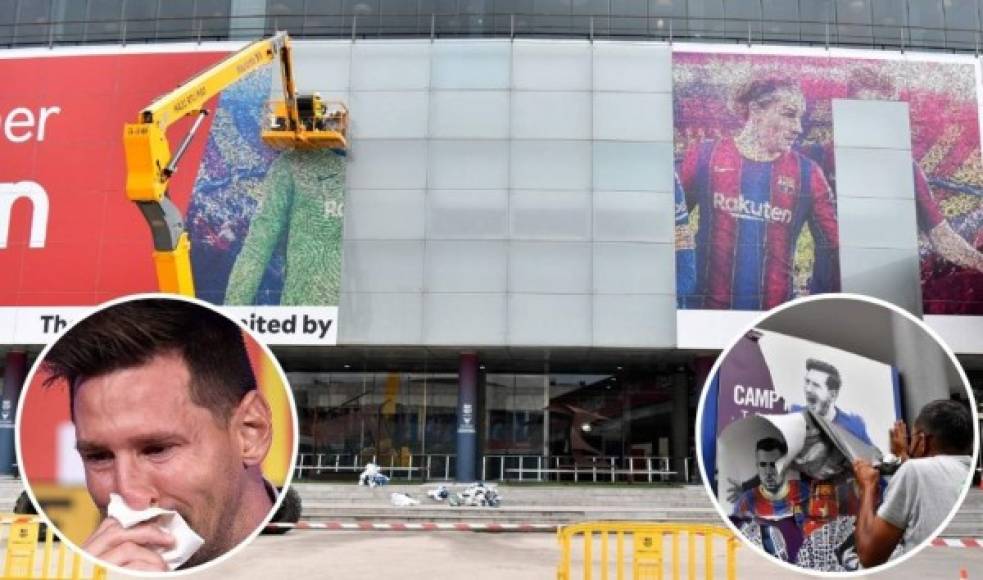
(876, 537)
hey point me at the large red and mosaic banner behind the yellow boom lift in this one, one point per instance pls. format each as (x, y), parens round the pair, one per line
(265, 226)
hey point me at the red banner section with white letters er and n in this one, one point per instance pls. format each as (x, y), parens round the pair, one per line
(73, 238)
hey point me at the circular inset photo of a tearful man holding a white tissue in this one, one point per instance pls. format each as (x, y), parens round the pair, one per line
(156, 434)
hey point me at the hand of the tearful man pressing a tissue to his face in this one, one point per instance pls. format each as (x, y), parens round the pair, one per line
(134, 548)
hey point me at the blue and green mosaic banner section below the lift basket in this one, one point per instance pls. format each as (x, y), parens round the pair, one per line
(265, 225)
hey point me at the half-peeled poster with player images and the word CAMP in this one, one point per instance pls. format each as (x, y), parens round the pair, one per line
(785, 411)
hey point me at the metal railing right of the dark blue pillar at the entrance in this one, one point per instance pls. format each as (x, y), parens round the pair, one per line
(642, 469)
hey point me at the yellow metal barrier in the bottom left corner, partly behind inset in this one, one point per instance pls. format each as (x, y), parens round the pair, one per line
(20, 555)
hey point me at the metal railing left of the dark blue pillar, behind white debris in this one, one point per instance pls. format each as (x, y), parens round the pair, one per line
(427, 467)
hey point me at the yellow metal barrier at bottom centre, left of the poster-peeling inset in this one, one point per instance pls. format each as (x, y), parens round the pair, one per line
(654, 547)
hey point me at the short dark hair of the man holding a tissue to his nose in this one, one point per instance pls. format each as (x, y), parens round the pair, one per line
(130, 334)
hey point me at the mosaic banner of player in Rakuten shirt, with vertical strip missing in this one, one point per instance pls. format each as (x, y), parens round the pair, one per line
(756, 213)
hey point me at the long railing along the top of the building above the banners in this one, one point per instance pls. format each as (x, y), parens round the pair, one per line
(495, 24)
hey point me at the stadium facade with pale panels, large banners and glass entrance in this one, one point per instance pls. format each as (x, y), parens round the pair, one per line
(529, 278)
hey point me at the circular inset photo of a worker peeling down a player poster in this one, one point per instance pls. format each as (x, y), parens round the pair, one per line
(838, 434)
